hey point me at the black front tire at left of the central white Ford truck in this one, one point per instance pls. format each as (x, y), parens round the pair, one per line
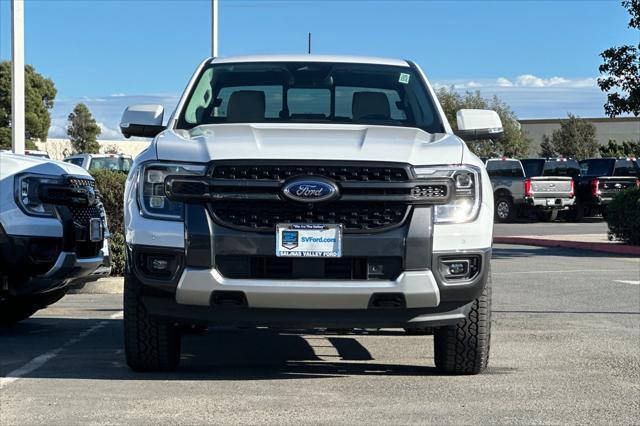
(151, 344)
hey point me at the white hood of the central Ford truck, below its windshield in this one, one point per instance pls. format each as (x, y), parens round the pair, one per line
(309, 142)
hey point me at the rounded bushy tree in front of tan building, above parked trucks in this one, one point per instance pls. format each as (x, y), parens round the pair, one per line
(576, 138)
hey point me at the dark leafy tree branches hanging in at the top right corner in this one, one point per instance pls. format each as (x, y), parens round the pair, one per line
(621, 70)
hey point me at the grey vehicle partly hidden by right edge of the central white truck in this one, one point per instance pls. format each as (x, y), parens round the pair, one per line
(507, 180)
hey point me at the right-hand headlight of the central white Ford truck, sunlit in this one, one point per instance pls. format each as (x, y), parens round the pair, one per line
(465, 203)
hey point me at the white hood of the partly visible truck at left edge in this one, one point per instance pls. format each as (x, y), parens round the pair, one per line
(10, 164)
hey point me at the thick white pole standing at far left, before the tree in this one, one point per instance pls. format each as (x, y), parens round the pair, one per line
(17, 76)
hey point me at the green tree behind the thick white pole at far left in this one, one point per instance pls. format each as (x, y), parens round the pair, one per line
(40, 93)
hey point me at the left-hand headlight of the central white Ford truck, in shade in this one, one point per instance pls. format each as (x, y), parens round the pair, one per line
(151, 196)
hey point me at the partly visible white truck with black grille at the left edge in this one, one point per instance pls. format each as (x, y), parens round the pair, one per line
(52, 233)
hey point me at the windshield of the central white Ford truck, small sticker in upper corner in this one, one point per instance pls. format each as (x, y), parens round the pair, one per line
(310, 92)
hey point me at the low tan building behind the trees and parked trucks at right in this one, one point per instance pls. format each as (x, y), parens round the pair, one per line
(619, 129)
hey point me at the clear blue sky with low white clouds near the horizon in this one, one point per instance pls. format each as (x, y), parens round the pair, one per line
(541, 57)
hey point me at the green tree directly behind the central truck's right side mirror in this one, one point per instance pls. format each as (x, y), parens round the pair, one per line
(513, 143)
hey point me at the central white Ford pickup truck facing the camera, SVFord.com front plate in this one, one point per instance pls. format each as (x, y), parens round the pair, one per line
(308, 191)
